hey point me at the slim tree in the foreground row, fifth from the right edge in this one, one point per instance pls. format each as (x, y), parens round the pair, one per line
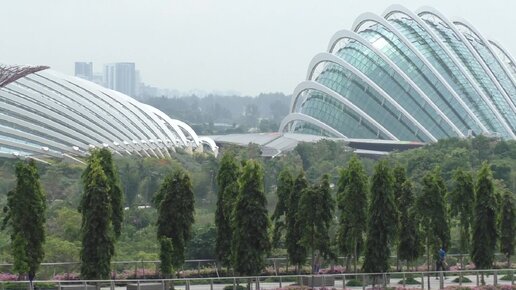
(409, 237)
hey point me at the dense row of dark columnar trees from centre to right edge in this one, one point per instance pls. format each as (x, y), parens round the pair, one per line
(374, 216)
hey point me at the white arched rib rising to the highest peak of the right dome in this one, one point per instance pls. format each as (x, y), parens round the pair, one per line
(402, 10)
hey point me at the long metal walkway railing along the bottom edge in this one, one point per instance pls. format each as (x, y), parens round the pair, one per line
(414, 280)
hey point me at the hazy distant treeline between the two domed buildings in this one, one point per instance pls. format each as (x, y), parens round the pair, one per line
(226, 114)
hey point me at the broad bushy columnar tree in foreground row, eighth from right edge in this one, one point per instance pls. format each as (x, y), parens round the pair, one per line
(315, 216)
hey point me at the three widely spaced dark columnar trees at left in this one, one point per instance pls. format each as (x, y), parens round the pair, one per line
(102, 211)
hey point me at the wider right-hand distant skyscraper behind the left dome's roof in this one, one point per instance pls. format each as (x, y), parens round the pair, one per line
(121, 77)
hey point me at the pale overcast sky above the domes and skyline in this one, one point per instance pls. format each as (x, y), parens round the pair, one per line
(242, 46)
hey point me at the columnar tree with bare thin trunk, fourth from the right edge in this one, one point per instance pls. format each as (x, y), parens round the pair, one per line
(431, 213)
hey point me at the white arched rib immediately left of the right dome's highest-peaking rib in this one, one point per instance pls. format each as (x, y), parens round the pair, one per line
(370, 17)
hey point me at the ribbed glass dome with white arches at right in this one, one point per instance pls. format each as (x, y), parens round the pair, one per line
(420, 77)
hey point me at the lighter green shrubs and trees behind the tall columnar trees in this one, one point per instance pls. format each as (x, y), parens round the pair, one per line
(140, 180)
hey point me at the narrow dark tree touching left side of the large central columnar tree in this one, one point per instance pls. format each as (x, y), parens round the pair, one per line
(227, 177)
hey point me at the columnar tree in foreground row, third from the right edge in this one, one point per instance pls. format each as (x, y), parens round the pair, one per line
(461, 200)
